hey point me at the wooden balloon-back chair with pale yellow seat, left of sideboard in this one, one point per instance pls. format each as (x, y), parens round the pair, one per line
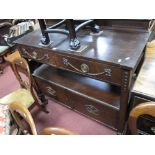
(26, 93)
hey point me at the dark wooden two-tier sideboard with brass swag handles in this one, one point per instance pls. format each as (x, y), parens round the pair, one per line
(96, 80)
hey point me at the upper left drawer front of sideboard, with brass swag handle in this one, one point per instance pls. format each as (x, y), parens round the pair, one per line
(42, 56)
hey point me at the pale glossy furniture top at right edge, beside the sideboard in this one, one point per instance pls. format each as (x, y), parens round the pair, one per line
(145, 82)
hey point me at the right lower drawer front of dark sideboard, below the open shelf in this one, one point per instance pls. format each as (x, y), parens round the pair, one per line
(94, 109)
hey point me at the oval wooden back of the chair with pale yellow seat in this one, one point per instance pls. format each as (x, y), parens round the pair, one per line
(21, 66)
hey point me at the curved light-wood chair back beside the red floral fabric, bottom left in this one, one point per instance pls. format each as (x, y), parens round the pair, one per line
(21, 115)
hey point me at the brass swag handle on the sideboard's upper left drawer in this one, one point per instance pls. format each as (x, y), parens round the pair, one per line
(34, 55)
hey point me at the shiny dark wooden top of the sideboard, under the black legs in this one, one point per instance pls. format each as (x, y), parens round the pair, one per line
(117, 46)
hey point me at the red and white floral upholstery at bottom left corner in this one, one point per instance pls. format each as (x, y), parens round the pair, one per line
(5, 119)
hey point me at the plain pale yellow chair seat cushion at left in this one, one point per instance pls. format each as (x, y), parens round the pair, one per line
(21, 95)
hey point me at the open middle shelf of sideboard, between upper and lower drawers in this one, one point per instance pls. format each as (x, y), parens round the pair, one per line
(85, 86)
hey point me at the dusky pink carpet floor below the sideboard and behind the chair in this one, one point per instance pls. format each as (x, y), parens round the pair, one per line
(58, 115)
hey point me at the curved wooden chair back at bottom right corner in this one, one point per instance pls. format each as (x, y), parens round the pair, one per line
(147, 108)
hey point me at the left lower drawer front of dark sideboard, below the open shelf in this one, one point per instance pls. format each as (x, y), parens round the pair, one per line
(53, 91)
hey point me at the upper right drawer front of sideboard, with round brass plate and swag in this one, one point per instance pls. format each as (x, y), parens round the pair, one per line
(92, 69)
